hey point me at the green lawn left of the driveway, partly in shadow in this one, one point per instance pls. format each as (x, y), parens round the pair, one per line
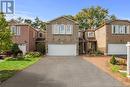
(10, 66)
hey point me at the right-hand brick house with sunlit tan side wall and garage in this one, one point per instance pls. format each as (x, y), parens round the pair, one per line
(113, 36)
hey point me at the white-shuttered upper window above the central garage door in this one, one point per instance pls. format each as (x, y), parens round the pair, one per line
(62, 29)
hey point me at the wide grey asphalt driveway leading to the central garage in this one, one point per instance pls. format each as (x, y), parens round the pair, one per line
(62, 72)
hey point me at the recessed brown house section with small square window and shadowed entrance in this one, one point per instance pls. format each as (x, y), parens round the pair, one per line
(87, 41)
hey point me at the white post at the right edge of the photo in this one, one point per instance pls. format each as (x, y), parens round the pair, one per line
(128, 59)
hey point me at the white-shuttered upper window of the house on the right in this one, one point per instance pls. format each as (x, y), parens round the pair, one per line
(120, 29)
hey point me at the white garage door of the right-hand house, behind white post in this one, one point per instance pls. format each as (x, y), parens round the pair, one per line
(117, 49)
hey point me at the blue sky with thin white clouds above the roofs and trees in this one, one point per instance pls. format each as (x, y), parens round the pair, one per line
(49, 9)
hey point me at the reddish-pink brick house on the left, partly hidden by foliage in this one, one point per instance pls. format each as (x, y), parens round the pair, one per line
(24, 35)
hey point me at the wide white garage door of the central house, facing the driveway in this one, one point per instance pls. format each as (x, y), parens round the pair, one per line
(62, 50)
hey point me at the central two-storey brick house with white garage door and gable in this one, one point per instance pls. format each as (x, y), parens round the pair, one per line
(62, 37)
